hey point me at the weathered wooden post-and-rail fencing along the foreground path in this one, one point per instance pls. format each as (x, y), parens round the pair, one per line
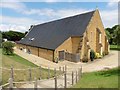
(75, 77)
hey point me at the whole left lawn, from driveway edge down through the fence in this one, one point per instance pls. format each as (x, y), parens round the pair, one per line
(21, 63)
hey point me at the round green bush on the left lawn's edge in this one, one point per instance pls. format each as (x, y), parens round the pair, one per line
(8, 47)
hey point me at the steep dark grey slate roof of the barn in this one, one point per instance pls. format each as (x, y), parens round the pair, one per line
(52, 34)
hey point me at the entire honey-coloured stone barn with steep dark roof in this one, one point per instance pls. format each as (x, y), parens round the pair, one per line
(69, 38)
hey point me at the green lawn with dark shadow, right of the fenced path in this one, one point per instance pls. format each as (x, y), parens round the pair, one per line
(101, 79)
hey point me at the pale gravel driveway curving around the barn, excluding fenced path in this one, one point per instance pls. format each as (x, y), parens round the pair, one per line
(109, 61)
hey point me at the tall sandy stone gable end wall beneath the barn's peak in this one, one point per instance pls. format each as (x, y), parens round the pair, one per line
(95, 24)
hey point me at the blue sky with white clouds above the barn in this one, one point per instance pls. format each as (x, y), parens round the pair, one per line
(20, 15)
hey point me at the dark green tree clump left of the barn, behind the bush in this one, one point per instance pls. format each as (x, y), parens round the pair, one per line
(13, 35)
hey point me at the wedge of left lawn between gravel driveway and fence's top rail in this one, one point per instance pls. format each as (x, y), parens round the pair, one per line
(16, 61)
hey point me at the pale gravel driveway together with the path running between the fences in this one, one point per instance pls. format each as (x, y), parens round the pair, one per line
(109, 61)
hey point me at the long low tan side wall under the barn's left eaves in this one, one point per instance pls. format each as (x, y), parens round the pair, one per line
(44, 53)
